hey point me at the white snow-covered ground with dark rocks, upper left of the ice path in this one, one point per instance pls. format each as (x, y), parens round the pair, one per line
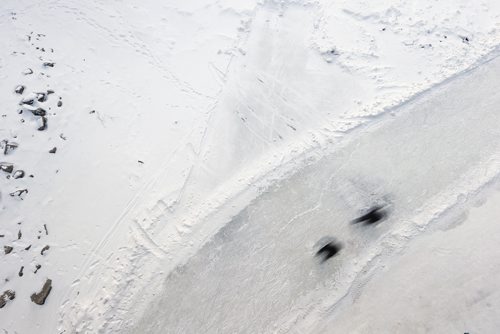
(171, 108)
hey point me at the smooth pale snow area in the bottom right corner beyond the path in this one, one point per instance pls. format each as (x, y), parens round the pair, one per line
(445, 282)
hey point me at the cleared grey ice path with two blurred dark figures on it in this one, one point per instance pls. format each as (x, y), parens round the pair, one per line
(258, 274)
